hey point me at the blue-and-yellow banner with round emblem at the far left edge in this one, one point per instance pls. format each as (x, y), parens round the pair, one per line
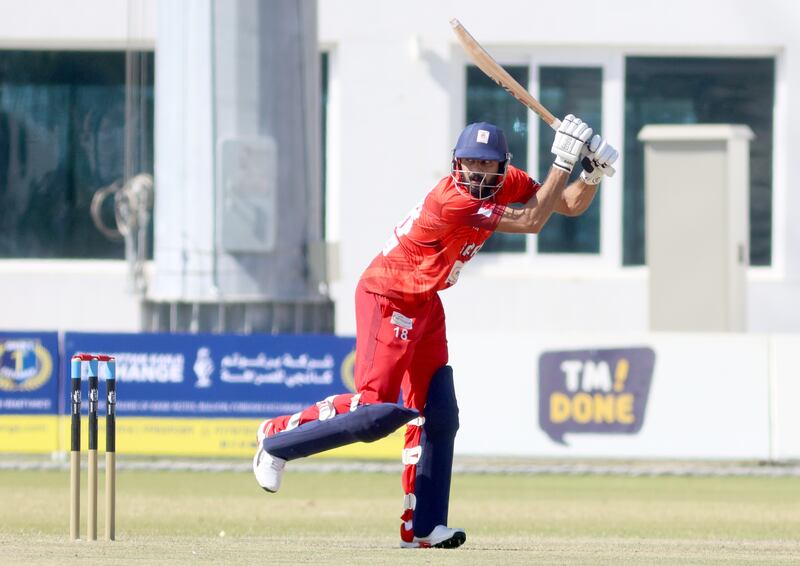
(29, 389)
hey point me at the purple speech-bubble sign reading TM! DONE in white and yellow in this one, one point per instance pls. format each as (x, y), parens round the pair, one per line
(594, 391)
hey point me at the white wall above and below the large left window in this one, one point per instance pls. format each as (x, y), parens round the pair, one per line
(63, 294)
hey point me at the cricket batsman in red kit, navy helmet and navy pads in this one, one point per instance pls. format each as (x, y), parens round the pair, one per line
(401, 343)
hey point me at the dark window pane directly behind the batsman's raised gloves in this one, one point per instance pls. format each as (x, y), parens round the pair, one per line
(564, 90)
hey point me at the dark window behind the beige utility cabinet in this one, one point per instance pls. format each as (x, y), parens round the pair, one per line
(692, 91)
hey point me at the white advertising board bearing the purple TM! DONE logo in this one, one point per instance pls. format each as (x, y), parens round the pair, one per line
(703, 396)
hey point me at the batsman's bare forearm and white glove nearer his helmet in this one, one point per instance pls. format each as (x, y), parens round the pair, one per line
(534, 214)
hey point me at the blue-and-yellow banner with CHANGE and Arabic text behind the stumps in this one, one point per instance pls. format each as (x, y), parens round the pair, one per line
(203, 394)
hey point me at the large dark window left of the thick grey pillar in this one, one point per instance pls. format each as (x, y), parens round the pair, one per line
(62, 137)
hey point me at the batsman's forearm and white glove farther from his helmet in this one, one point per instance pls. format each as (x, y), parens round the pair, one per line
(577, 197)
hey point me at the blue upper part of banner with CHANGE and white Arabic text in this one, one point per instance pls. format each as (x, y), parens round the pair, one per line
(207, 376)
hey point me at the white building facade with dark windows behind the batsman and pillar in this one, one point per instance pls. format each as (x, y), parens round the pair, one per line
(396, 92)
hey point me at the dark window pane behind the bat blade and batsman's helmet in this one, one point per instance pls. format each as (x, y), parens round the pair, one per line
(487, 102)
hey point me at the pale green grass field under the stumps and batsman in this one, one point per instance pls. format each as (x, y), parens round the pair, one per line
(353, 518)
